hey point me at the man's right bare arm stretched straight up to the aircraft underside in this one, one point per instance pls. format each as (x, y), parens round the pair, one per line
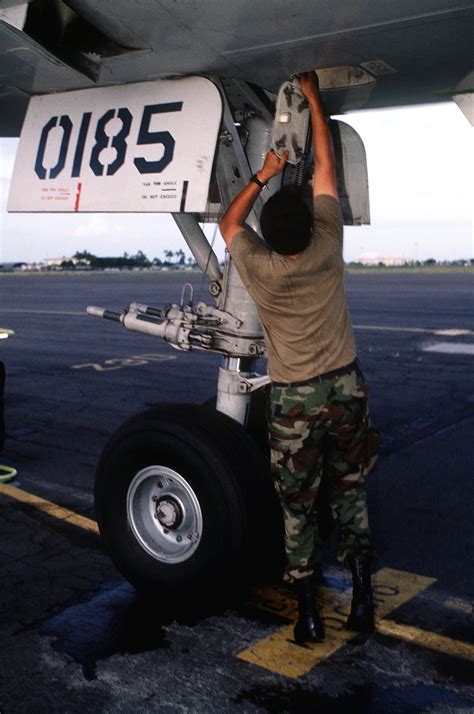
(324, 179)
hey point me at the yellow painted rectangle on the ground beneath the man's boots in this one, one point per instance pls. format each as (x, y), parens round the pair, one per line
(278, 652)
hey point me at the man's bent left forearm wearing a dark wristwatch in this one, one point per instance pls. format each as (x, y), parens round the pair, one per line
(233, 220)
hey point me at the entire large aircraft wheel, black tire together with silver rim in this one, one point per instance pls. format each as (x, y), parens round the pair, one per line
(184, 502)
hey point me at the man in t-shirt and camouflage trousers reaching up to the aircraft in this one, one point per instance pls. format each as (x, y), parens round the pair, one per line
(318, 402)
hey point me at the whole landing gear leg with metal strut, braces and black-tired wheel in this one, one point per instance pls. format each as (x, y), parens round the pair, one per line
(184, 497)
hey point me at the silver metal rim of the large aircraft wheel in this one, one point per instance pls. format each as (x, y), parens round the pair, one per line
(164, 514)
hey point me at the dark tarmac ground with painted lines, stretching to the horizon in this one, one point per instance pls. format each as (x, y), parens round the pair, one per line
(75, 636)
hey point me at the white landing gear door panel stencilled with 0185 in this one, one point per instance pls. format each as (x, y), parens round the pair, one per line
(145, 147)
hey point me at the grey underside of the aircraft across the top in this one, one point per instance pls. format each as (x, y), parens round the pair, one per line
(402, 53)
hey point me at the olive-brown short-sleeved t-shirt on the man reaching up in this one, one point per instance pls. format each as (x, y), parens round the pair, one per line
(301, 302)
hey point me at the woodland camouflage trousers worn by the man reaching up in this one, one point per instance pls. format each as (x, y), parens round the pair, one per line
(321, 428)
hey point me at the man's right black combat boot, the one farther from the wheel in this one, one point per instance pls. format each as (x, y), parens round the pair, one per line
(361, 618)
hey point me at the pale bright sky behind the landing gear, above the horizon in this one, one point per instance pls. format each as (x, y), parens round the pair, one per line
(420, 163)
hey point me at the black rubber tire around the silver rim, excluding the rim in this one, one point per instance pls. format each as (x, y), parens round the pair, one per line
(229, 476)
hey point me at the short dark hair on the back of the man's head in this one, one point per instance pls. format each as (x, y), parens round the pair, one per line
(286, 222)
